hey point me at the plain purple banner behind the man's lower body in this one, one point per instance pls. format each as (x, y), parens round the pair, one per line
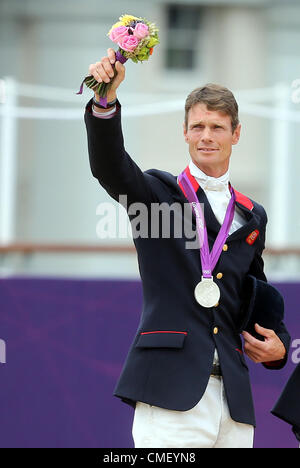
(62, 346)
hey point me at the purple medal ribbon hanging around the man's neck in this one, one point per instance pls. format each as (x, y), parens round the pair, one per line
(208, 259)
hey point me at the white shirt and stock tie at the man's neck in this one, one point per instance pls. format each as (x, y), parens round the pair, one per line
(218, 194)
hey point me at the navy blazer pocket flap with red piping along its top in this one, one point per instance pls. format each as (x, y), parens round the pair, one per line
(161, 339)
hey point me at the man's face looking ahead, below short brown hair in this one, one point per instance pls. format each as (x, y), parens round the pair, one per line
(210, 138)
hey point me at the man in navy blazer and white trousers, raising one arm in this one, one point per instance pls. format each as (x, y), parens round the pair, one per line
(186, 363)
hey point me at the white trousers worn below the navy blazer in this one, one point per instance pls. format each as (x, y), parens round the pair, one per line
(206, 425)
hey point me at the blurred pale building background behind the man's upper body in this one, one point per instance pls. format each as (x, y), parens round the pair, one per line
(47, 193)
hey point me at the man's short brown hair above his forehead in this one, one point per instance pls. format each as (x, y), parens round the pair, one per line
(216, 98)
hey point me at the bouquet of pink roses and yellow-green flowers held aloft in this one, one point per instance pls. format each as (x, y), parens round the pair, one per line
(136, 38)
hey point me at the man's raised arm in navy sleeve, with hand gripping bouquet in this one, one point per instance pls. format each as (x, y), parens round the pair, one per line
(110, 163)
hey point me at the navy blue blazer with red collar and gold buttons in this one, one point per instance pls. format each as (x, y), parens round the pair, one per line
(171, 356)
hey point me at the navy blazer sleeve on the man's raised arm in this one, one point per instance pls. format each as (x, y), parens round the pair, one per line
(116, 172)
